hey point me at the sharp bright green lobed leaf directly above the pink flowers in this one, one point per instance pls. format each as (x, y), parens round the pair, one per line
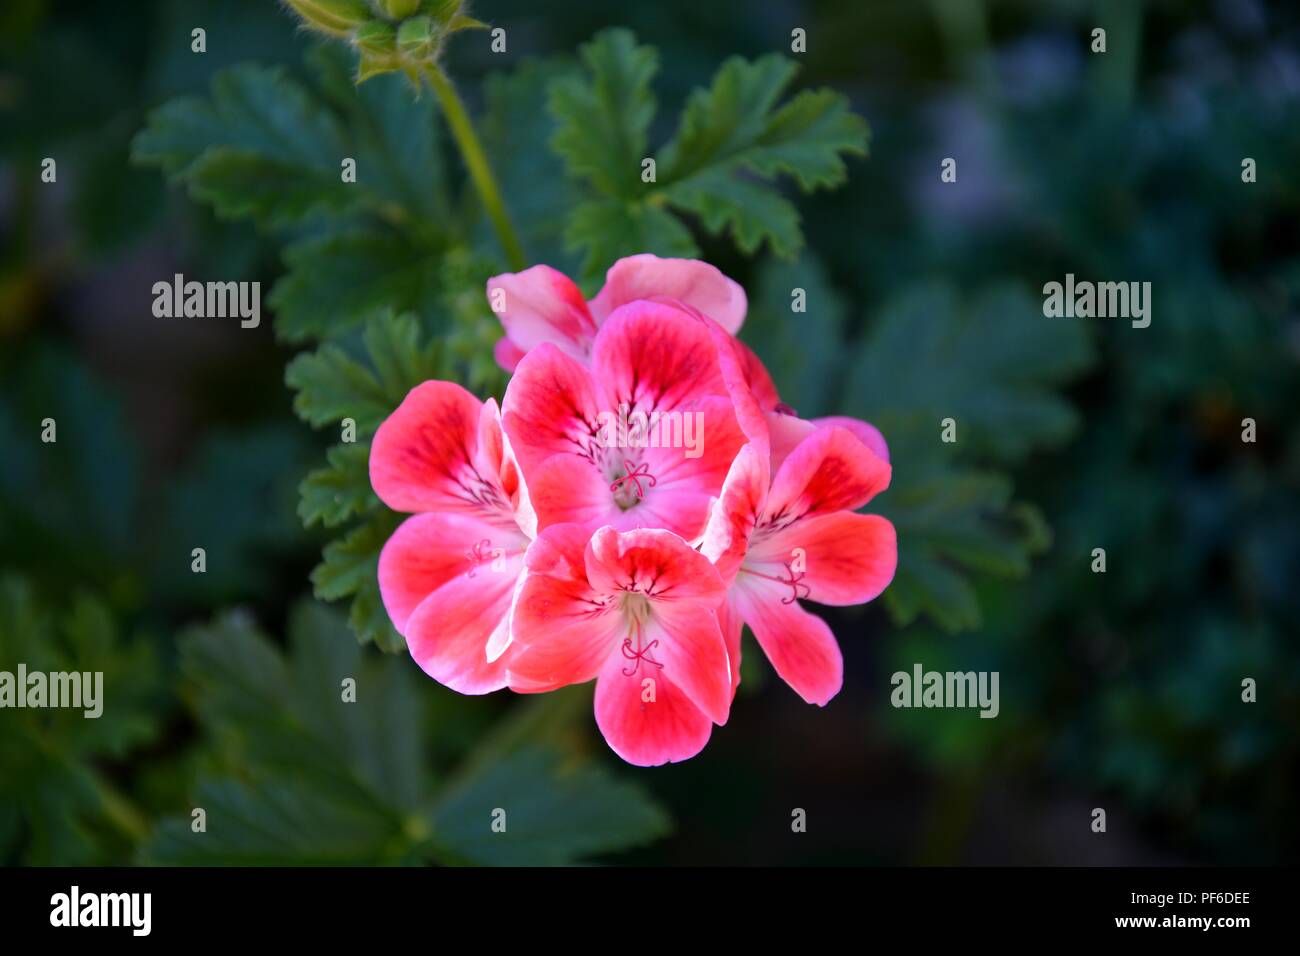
(733, 144)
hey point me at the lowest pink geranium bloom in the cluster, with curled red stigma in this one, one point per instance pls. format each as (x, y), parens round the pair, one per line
(636, 612)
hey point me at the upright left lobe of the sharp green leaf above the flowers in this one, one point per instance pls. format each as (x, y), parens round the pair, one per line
(604, 118)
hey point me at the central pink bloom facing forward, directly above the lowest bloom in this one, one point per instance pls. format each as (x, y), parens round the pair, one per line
(651, 360)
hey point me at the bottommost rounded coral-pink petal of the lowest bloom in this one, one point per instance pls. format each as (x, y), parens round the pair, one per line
(647, 720)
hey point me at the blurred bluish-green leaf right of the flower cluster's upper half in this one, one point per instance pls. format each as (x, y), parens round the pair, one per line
(994, 365)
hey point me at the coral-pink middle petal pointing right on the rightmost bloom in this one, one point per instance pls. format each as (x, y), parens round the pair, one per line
(842, 559)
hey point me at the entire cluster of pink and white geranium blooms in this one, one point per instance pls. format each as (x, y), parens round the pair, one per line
(545, 551)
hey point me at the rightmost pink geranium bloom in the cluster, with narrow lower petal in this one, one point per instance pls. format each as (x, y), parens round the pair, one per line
(800, 539)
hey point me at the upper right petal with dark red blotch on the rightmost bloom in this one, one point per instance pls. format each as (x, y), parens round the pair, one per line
(831, 470)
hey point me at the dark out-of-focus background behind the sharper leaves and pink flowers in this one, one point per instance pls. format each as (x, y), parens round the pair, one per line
(1120, 691)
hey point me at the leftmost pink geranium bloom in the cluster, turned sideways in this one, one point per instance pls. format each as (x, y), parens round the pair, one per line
(449, 574)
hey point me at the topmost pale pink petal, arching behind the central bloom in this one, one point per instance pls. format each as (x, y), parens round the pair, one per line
(690, 280)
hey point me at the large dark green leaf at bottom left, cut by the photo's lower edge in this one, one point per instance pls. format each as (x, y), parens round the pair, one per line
(305, 777)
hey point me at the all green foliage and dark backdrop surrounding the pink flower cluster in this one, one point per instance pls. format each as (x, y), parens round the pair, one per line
(1119, 690)
